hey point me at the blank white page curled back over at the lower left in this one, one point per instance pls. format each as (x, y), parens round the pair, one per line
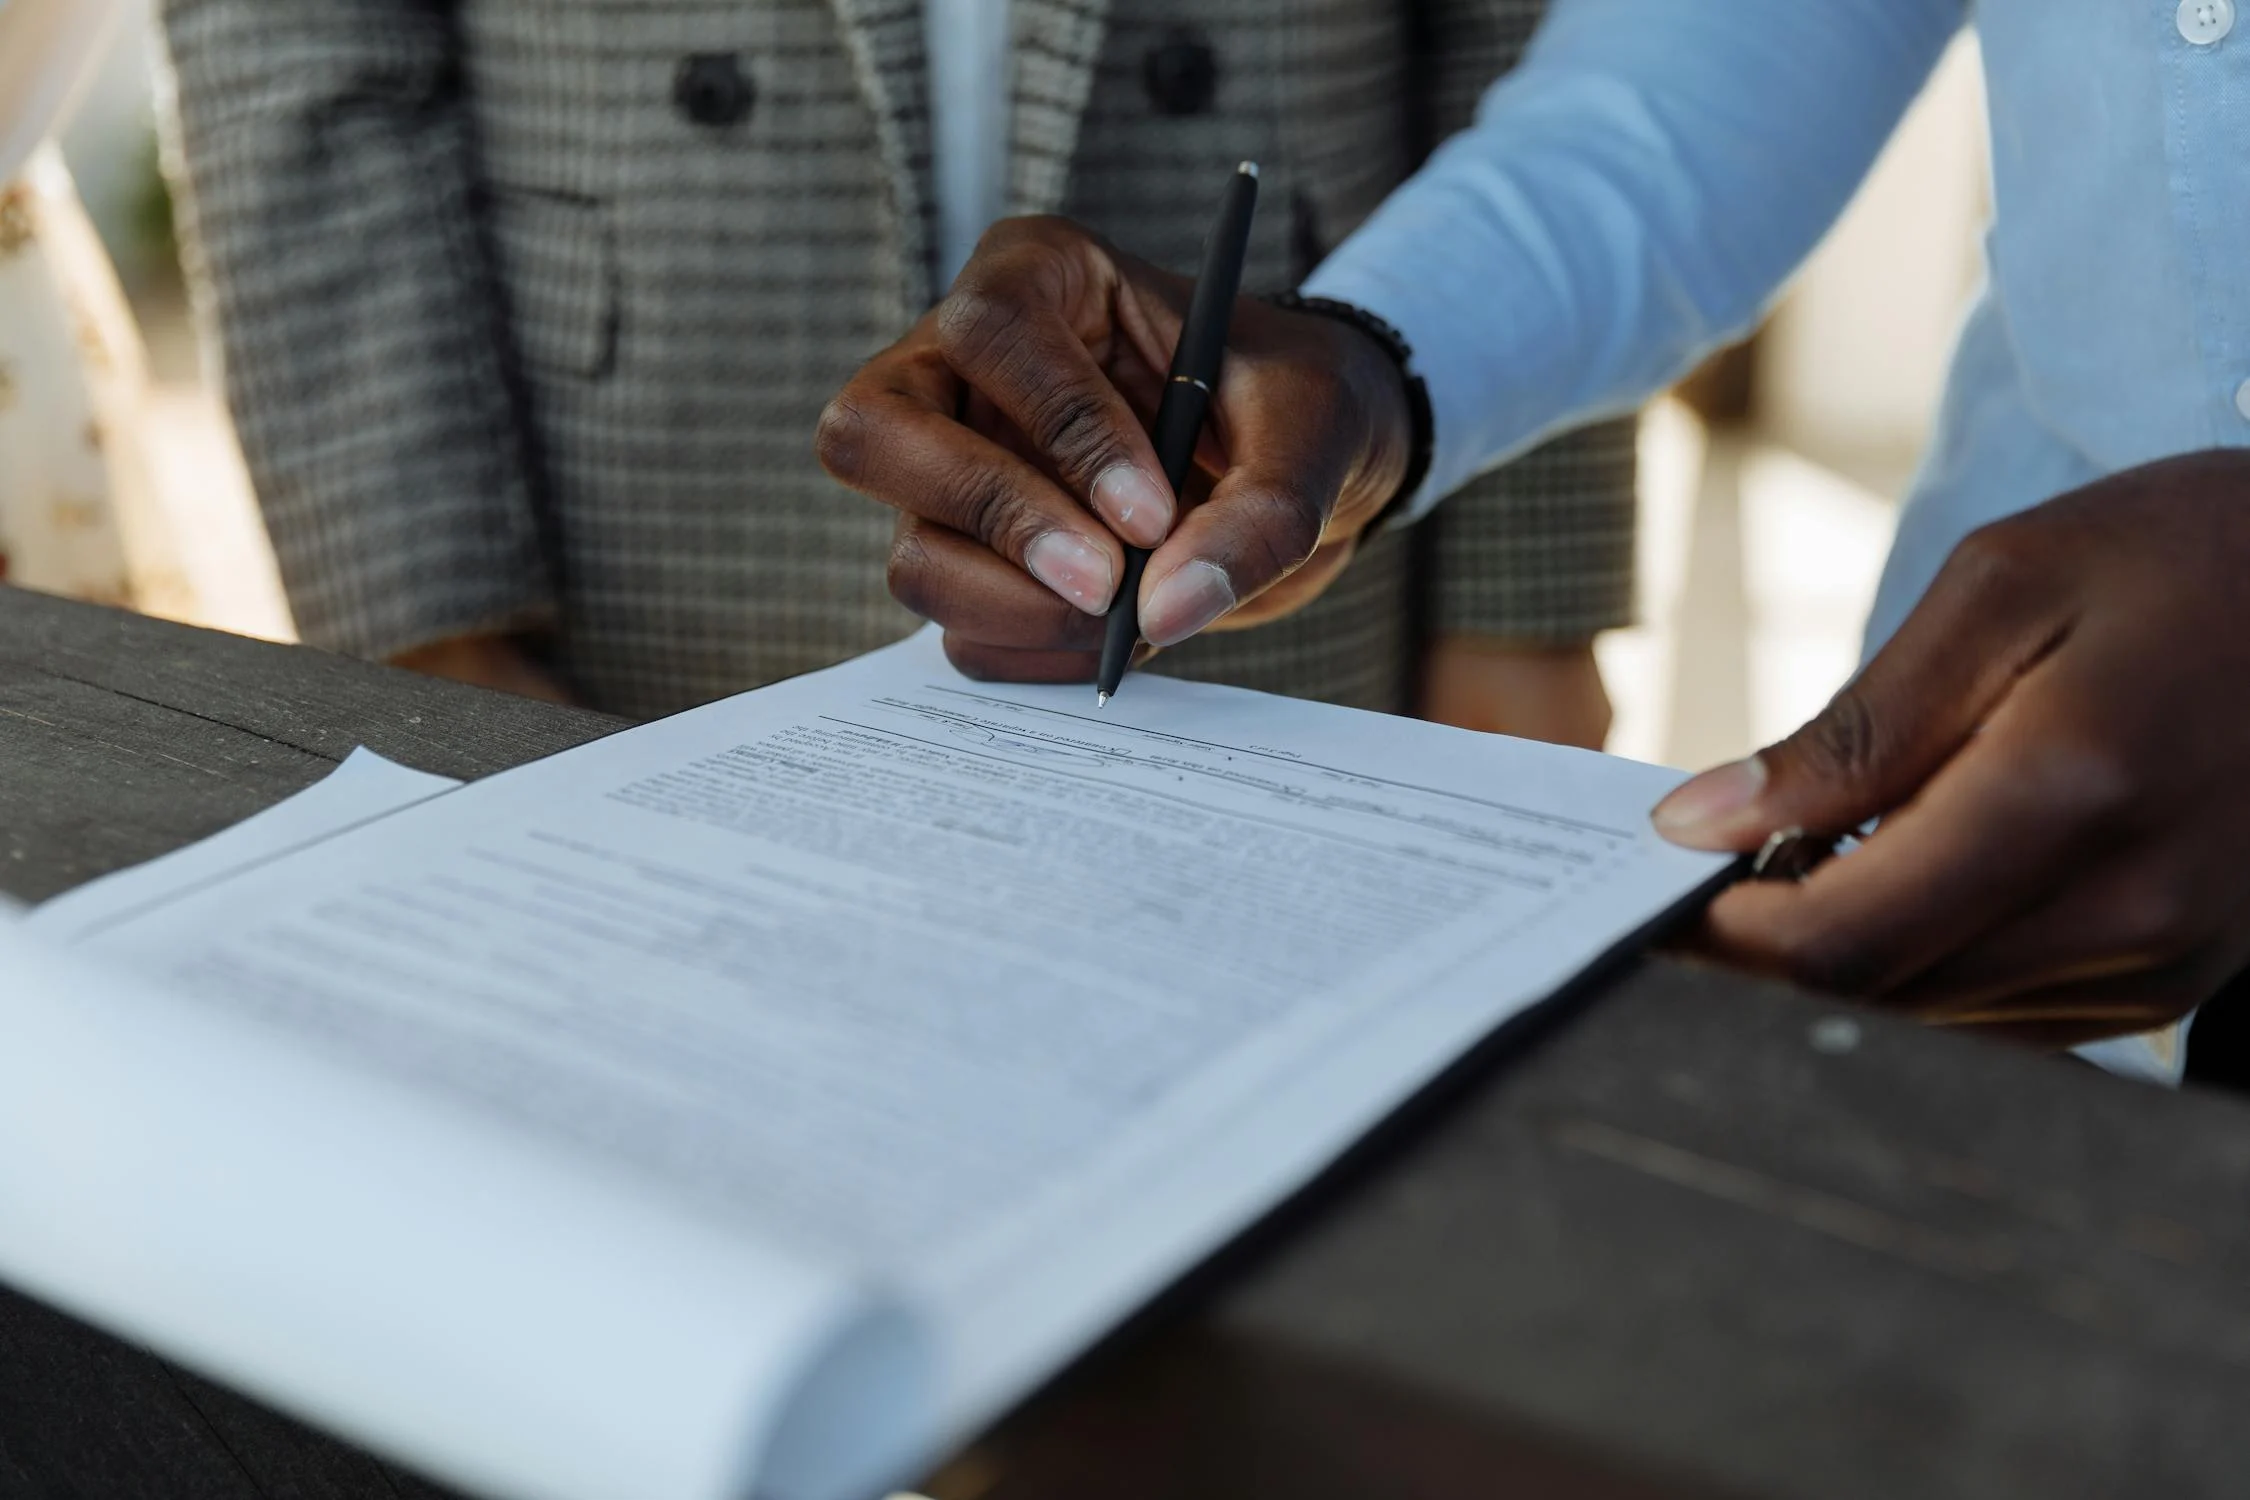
(408, 1272)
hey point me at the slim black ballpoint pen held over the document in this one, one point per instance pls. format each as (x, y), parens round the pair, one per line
(1187, 399)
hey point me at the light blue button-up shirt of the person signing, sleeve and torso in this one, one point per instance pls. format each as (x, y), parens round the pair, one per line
(1644, 186)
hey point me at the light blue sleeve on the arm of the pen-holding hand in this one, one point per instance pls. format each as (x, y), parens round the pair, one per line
(1628, 201)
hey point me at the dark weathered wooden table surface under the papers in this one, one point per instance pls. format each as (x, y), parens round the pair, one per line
(1693, 1238)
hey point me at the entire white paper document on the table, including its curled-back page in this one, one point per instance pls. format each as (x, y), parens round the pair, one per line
(775, 1094)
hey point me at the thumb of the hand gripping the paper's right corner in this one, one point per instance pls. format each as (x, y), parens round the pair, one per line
(1977, 633)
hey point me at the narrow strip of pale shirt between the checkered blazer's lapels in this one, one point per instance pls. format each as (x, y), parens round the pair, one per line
(969, 123)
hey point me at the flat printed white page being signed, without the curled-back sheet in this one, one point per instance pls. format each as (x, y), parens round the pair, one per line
(953, 986)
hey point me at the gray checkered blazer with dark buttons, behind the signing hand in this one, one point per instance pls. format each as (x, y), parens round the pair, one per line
(528, 307)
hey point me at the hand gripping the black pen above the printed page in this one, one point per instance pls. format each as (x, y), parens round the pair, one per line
(1011, 433)
